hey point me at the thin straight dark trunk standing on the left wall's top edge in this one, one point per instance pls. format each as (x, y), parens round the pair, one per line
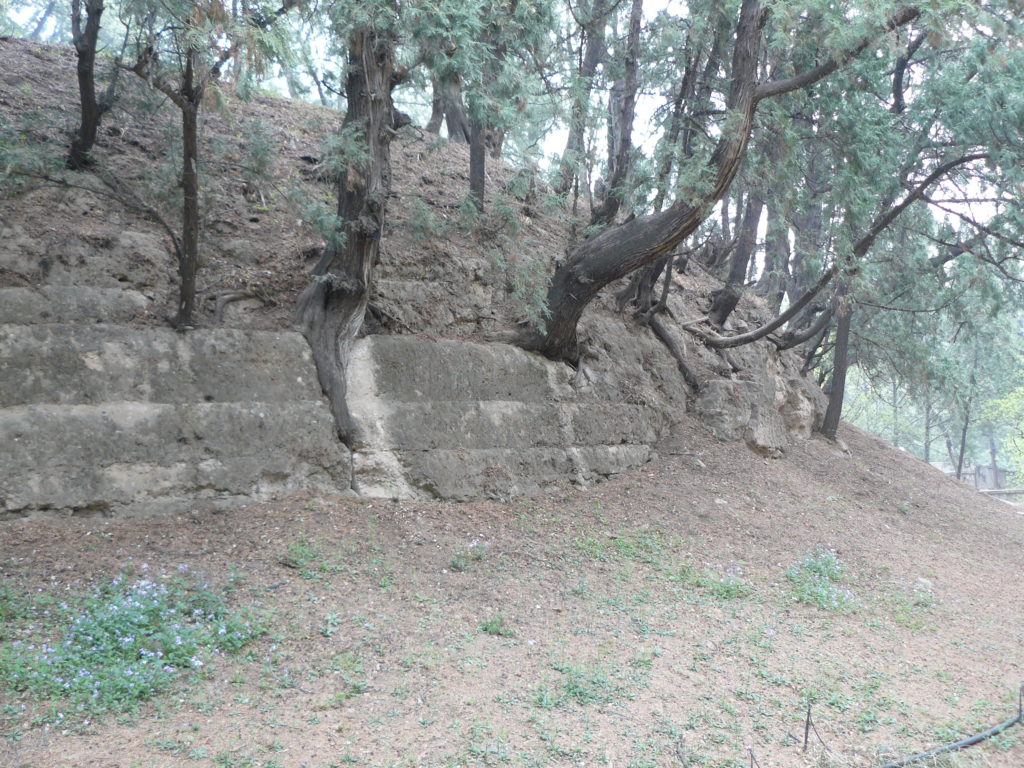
(189, 265)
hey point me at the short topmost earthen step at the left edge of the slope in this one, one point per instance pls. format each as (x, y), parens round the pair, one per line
(70, 305)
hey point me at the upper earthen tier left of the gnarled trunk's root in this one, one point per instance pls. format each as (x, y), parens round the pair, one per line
(77, 364)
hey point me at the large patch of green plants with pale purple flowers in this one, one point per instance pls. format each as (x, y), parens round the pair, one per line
(122, 644)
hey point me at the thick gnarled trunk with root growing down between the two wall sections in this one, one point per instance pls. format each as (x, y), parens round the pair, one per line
(332, 308)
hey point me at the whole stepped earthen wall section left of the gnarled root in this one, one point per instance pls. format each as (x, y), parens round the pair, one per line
(113, 419)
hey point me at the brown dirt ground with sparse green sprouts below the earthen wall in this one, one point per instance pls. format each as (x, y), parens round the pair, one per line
(620, 657)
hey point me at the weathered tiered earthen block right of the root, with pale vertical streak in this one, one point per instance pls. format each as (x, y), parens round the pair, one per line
(459, 420)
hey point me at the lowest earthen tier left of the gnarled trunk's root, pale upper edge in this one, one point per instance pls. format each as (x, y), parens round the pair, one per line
(117, 457)
